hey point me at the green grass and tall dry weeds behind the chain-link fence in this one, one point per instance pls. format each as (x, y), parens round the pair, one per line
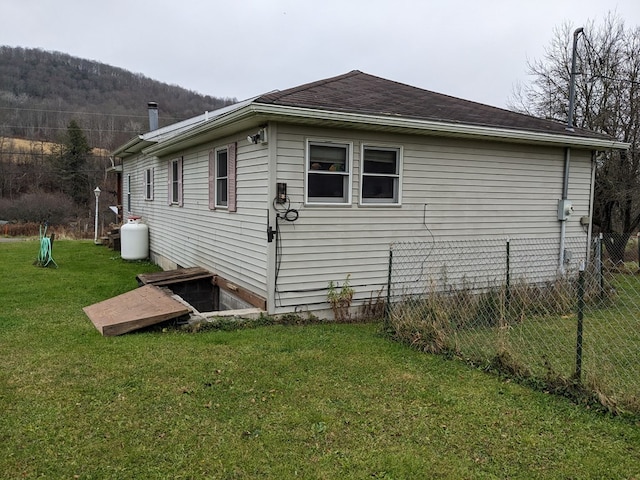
(530, 332)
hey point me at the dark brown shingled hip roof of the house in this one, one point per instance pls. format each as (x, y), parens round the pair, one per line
(358, 92)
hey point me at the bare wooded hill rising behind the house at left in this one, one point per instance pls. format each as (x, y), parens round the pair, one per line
(41, 92)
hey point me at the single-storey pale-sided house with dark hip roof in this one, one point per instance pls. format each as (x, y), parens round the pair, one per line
(283, 193)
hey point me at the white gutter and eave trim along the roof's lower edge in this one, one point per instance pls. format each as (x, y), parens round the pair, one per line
(382, 122)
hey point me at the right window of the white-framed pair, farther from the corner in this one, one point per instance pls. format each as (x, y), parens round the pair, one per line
(380, 175)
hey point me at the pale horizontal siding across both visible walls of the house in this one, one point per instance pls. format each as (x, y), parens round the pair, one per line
(448, 189)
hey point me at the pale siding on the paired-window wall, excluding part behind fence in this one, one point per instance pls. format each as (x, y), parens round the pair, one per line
(451, 189)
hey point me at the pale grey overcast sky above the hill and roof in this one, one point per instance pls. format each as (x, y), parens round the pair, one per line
(473, 49)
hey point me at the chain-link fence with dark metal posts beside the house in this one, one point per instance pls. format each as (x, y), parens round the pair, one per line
(556, 311)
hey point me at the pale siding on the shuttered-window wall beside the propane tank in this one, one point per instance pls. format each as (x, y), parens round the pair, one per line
(230, 245)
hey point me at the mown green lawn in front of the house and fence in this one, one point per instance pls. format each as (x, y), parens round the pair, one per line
(320, 402)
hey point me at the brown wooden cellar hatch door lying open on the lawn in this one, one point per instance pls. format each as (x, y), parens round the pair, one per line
(139, 308)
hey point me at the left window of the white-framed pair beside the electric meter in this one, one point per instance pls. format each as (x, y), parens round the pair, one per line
(328, 169)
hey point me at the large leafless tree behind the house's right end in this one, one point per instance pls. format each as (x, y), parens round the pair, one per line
(607, 101)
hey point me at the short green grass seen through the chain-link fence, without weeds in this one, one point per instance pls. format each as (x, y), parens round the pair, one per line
(547, 344)
